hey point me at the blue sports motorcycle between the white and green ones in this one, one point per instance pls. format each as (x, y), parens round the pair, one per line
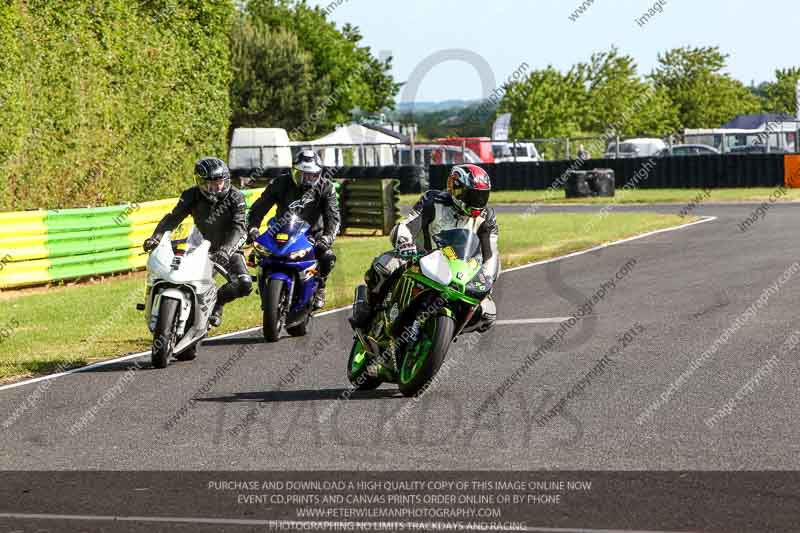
(288, 274)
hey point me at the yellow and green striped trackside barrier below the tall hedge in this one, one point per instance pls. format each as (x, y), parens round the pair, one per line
(43, 246)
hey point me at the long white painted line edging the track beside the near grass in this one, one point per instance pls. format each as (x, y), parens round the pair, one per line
(340, 309)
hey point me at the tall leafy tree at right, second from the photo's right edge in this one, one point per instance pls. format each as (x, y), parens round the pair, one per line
(703, 94)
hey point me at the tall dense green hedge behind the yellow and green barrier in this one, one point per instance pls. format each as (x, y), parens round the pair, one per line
(103, 101)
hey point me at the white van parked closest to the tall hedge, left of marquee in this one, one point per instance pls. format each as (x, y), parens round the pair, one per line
(254, 148)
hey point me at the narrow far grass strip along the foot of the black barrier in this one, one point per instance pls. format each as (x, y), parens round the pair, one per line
(637, 196)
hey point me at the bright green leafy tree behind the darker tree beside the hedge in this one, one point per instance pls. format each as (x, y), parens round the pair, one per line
(342, 70)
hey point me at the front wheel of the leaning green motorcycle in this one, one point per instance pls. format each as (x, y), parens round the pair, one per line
(422, 360)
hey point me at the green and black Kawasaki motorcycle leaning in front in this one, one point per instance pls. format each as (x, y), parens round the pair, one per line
(427, 306)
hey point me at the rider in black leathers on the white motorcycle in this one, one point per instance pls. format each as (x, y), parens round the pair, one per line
(218, 210)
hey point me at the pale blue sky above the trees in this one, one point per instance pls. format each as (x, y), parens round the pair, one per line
(504, 34)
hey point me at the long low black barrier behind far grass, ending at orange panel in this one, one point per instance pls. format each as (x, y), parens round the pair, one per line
(695, 172)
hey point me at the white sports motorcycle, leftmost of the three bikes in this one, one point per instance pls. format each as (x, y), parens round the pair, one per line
(180, 297)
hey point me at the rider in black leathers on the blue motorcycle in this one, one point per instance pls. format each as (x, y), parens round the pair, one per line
(320, 210)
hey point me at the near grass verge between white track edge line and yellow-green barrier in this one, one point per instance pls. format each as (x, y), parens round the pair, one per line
(80, 324)
